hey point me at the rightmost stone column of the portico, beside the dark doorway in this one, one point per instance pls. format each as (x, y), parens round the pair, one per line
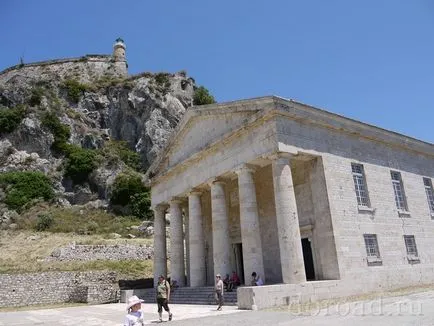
(288, 228)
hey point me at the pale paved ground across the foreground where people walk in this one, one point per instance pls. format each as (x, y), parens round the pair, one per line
(413, 309)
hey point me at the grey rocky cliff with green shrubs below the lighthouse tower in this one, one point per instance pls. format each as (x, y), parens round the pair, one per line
(89, 104)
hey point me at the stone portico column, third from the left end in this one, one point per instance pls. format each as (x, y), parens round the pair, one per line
(196, 241)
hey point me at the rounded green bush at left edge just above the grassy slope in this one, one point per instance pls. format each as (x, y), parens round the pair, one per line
(23, 187)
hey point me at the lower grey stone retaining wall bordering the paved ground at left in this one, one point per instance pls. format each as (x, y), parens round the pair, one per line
(58, 287)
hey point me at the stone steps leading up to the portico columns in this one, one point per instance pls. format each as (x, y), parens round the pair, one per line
(187, 295)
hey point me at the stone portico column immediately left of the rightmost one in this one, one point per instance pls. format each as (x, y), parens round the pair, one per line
(249, 223)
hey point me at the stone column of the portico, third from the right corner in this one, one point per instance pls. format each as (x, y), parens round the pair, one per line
(220, 229)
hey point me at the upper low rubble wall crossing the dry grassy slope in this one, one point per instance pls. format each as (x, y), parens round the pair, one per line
(101, 252)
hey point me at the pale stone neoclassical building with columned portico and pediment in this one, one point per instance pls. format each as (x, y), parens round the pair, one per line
(296, 194)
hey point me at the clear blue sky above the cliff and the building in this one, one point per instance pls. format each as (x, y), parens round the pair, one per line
(370, 60)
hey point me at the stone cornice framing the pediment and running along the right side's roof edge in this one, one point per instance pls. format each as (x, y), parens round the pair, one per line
(293, 110)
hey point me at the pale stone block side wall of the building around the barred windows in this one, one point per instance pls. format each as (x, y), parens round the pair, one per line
(350, 222)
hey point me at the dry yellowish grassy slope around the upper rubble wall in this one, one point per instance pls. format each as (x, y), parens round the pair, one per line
(24, 251)
